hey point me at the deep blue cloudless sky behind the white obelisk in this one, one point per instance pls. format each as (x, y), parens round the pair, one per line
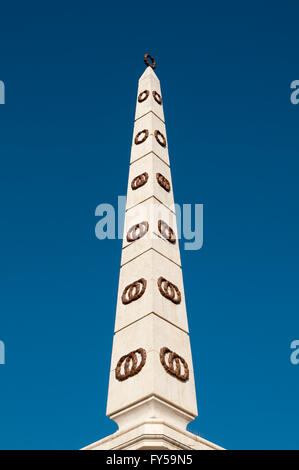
(71, 72)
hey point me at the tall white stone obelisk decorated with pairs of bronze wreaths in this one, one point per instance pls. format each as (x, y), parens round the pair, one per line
(151, 388)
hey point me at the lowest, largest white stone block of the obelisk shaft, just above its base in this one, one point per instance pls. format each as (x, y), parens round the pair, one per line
(151, 333)
